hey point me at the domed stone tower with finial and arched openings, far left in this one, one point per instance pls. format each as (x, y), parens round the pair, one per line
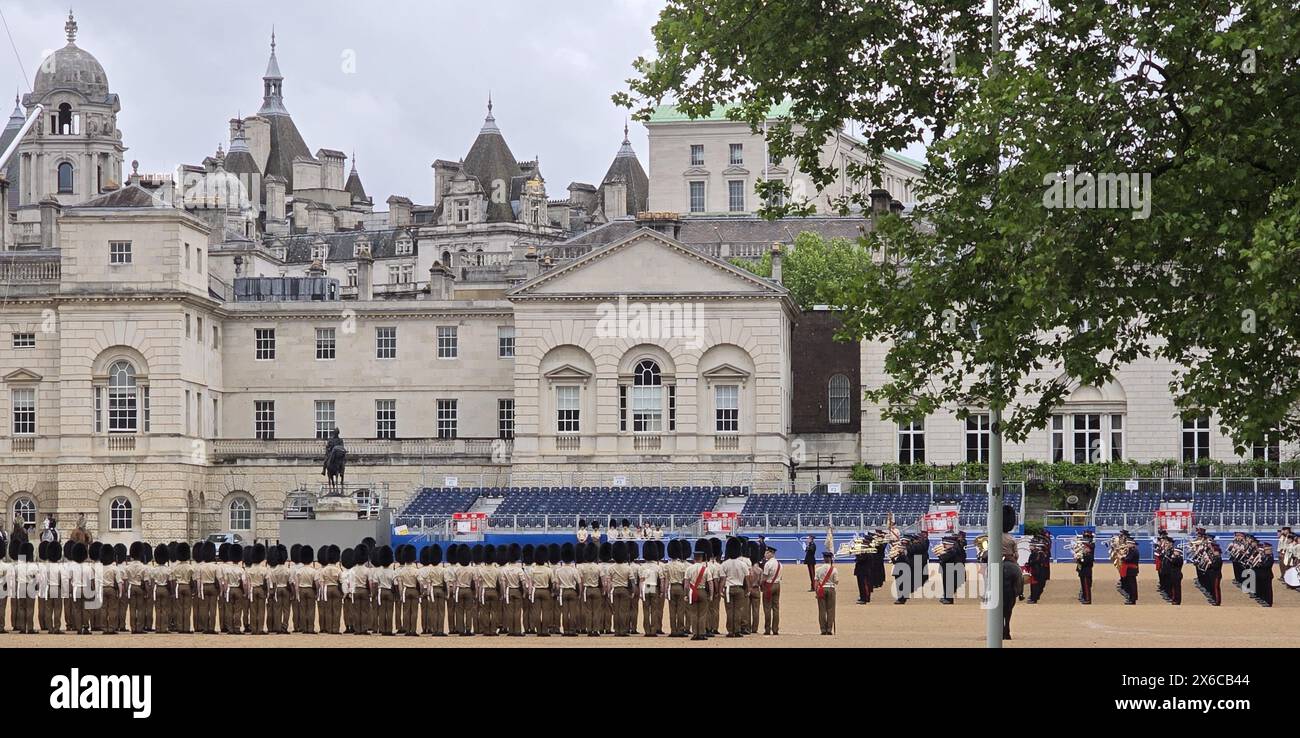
(76, 151)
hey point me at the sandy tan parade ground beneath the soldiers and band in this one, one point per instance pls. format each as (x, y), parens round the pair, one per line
(1059, 620)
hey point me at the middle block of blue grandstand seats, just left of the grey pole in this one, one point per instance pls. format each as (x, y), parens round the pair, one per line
(860, 510)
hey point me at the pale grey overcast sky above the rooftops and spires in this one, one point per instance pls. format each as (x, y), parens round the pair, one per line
(419, 93)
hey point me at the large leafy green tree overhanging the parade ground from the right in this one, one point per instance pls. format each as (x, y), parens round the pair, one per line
(1008, 271)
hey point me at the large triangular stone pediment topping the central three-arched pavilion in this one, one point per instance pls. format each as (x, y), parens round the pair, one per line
(648, 264)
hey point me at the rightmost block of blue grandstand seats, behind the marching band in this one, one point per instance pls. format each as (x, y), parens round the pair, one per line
(1232, 506)
